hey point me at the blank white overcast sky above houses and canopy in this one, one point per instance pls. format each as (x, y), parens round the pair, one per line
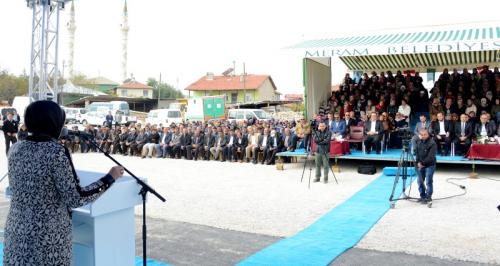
(186, 39)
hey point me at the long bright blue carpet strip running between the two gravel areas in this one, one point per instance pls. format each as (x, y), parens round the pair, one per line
(335, 232)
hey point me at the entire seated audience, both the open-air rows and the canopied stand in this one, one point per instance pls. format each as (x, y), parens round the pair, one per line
(459, 109)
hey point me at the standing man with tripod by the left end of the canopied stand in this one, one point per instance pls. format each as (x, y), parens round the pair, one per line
(322, 138)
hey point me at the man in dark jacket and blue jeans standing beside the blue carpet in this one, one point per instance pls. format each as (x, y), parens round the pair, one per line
(426, 164)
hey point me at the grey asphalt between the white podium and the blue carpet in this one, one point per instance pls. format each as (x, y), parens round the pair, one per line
(181, 243)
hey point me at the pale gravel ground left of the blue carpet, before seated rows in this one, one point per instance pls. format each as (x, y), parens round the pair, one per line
(241, 197)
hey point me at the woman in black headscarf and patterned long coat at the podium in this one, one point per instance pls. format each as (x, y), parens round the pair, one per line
(45, 188)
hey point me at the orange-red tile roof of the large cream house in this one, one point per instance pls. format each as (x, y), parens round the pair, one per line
(223, 83)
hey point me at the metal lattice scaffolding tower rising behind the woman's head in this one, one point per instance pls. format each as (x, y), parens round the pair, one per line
(44, 72)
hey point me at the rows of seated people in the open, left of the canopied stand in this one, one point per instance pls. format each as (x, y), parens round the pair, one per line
(256, 142)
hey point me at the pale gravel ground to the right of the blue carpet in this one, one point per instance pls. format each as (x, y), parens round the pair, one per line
(464, 228)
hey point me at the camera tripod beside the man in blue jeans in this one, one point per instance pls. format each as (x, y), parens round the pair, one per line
(406, 161)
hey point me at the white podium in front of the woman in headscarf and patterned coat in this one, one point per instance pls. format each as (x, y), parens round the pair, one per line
(104, 231)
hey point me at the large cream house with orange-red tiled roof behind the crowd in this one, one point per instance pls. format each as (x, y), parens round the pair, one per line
(236, 89)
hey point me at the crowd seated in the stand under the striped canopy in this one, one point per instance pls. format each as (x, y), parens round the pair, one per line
(459, 109)
